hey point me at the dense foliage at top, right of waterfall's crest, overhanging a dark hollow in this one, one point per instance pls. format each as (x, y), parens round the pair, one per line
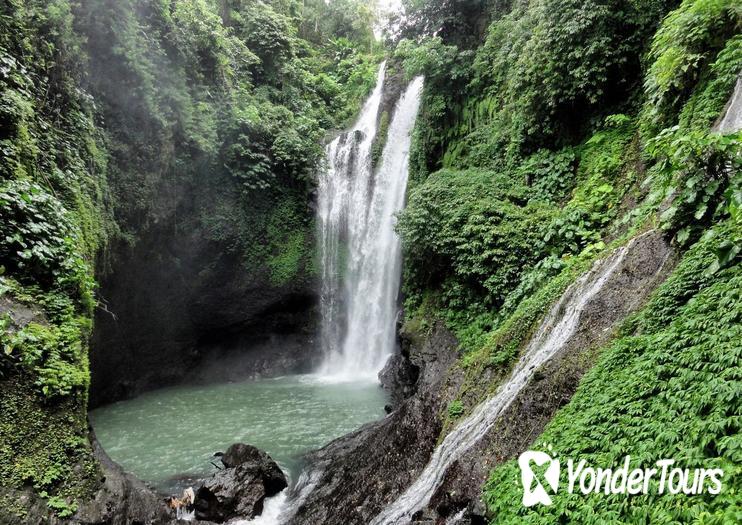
(544, 72)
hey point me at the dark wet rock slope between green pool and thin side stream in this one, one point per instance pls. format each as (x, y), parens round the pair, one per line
(361, 472)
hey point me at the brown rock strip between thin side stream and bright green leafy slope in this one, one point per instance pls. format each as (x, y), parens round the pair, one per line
(645, 266)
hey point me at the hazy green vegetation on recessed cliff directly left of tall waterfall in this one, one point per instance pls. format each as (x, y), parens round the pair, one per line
(231, 101)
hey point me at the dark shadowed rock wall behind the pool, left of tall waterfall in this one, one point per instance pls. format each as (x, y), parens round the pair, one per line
(177, 301)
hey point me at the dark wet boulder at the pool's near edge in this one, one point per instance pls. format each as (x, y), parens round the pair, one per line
(249, 476)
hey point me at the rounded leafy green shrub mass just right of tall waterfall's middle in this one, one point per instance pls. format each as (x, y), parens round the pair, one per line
(470, 234)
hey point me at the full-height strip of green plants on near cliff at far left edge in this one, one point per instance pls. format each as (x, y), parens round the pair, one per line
(54, 222)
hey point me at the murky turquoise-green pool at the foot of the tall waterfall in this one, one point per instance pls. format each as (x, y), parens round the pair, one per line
(168, 437)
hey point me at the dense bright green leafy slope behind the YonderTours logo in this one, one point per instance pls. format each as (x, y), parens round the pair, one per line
(667, 388)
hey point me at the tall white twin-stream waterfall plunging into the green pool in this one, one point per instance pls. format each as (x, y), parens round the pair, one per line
(359, 249)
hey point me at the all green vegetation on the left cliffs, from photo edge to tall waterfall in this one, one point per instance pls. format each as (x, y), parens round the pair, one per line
(106, 109)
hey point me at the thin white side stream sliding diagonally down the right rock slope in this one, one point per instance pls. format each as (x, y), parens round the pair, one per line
(553, 333)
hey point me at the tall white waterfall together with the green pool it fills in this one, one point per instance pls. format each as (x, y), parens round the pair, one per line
(166, 438)
